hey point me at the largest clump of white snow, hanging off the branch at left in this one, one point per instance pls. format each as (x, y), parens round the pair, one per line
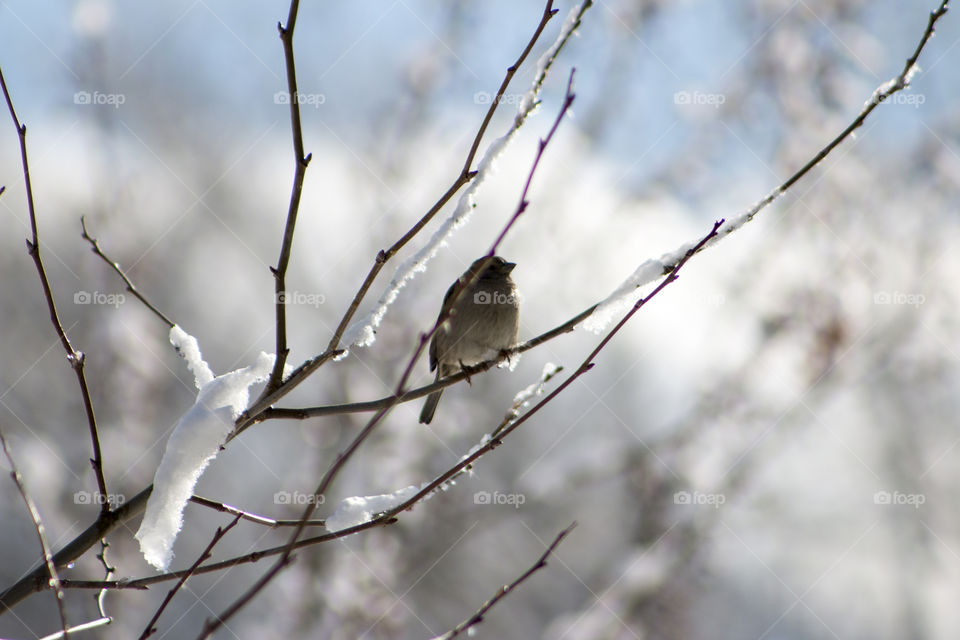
(193, 444)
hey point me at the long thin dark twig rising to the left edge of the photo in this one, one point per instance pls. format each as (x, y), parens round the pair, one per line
(75, 358)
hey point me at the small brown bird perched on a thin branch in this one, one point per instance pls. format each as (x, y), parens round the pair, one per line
(484, 321)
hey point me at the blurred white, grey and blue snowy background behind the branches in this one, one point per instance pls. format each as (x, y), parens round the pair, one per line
(769, 450)
